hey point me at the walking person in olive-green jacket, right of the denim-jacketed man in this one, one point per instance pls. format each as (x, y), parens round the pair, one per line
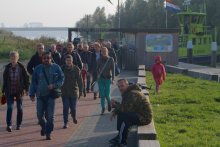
(71, 89)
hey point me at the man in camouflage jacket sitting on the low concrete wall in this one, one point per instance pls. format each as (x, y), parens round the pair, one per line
(134, 109)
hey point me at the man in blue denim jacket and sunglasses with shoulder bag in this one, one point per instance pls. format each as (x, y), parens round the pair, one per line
(51, 72)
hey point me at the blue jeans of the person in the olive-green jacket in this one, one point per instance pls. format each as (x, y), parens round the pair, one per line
(69, 103)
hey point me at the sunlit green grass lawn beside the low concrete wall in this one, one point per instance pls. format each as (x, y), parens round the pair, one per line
(186, 112)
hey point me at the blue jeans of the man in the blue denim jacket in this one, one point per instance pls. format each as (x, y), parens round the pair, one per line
(45, 113)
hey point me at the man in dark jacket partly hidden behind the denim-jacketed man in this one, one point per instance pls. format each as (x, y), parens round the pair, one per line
(35, 59)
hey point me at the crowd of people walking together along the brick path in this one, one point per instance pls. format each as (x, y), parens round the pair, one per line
(65, 71)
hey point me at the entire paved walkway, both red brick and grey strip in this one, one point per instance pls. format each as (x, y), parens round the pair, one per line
(92, 130)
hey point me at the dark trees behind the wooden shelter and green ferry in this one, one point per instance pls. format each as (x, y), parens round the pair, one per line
(148, 14)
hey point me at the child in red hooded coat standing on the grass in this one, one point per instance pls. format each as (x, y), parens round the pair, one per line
(159, 72)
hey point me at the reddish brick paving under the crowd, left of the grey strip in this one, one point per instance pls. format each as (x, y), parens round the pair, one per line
(29, 135)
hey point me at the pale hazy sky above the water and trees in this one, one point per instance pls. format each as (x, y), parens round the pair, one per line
(52, 13)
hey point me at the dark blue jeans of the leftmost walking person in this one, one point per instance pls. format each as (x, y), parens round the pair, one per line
(10, 104)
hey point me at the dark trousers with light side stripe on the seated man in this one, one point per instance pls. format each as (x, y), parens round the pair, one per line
(124, 121)
